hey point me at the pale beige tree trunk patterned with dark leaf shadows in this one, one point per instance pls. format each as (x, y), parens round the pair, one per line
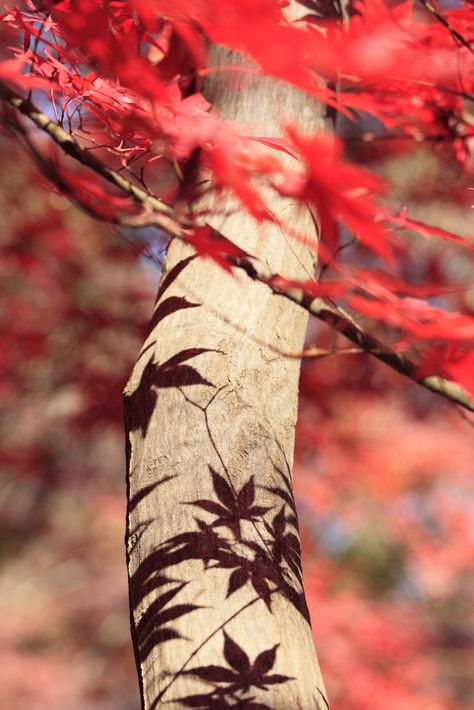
(219, 617)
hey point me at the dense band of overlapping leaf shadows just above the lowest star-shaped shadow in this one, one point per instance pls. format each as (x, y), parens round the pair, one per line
(254, 544)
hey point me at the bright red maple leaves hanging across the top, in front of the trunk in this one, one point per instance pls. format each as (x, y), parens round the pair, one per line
(124, 78)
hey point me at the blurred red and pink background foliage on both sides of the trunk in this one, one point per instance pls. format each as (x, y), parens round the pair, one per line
(383, 470)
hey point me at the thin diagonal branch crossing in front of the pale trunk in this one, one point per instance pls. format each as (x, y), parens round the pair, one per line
(163, 216)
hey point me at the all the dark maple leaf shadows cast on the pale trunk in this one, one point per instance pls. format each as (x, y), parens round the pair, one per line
(230, 532)
